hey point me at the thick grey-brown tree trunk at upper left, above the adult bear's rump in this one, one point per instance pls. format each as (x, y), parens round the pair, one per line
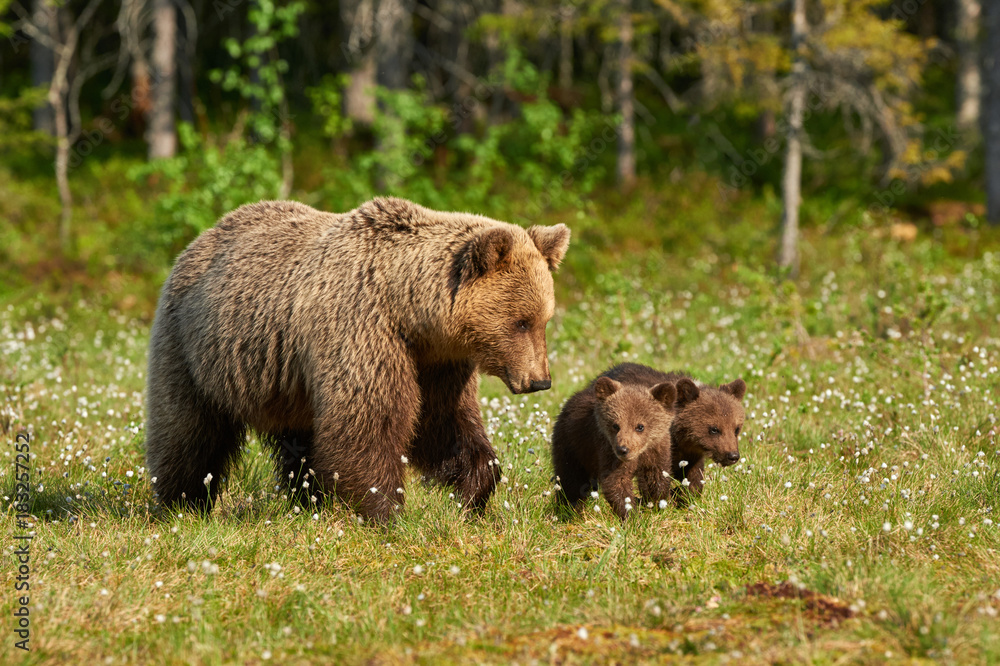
(162, 136)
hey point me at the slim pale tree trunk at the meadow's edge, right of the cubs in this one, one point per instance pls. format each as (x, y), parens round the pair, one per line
(791, 184)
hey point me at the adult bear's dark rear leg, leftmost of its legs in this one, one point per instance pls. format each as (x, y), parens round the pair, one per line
(187, 439)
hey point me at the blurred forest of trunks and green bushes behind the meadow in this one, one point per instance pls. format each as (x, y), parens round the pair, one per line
(128, 126)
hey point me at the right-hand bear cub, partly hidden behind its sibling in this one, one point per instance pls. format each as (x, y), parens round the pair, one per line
(707, 421)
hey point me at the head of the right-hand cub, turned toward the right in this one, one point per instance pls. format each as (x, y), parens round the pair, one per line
(710, 419)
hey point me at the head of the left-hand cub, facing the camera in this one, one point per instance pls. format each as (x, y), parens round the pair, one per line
(633, 417)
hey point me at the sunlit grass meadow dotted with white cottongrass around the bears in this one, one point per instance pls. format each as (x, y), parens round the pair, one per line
(861, 525)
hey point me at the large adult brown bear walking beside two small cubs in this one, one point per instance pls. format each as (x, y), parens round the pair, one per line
(349, 342)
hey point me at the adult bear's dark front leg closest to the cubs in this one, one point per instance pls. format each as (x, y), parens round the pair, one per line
(451, 444)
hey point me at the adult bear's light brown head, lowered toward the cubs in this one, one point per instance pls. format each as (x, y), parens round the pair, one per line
(504, 299)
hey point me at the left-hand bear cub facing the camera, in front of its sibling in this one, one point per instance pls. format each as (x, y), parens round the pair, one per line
(610, 433)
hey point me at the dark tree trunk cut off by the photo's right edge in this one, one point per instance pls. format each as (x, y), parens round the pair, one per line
(991, 103)
